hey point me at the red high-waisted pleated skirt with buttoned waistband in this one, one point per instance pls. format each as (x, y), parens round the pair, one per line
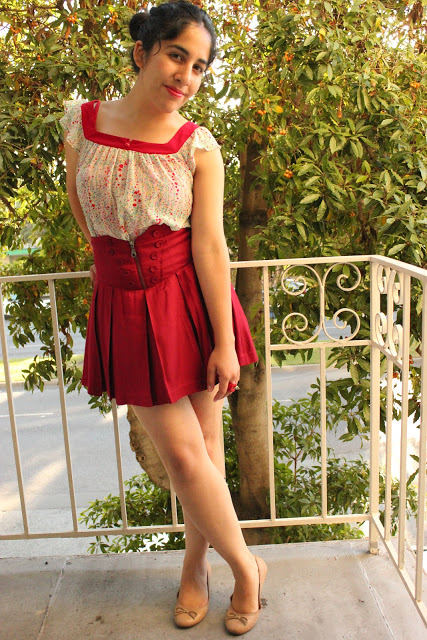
(149, 337)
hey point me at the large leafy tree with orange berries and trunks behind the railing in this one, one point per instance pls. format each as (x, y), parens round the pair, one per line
(320, 108)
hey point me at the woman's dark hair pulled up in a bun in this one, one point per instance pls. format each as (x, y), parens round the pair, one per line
(166, 22)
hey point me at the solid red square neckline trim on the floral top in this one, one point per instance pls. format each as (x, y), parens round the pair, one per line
(89, 114)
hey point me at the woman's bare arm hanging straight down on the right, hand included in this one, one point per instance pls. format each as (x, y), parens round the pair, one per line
(212, 264)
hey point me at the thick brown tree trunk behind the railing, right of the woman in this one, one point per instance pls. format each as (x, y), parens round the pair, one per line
(248, 405)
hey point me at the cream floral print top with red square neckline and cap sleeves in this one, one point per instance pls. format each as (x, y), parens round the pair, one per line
(125, 186)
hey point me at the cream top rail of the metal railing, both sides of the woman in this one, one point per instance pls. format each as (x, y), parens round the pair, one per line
(402, 267)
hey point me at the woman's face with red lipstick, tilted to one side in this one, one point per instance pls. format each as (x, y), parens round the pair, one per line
(171, 75)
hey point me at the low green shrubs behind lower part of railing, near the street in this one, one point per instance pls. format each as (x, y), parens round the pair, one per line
(297, 478)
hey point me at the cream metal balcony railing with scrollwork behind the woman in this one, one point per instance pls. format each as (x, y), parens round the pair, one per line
(390, 280)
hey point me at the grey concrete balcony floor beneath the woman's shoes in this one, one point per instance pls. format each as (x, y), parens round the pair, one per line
(314, 591)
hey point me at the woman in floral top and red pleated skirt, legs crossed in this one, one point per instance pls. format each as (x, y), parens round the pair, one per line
(165, 336)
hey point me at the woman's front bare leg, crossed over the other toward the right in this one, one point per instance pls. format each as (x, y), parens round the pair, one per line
(202, 490)
